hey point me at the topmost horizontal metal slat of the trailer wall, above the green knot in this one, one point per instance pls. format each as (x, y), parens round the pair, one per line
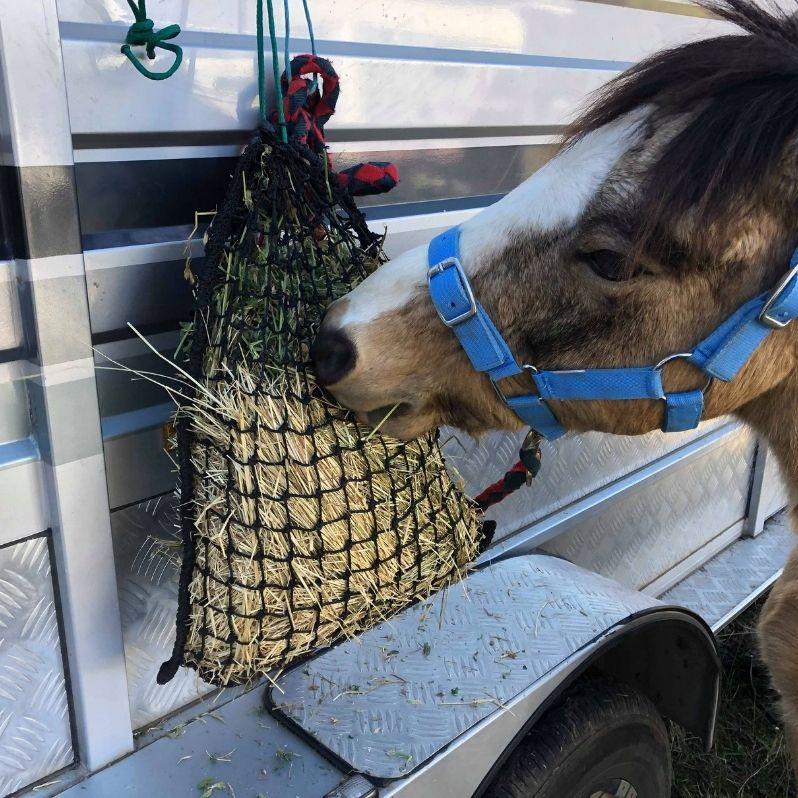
(618, 28)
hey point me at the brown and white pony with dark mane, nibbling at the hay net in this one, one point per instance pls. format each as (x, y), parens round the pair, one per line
(673, 200)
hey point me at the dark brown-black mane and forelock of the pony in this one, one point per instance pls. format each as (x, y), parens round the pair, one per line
(739, 93)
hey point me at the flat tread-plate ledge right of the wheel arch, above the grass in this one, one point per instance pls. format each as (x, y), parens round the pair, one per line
(730, 577)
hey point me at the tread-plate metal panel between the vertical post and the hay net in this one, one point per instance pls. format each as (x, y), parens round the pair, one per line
(147, 555)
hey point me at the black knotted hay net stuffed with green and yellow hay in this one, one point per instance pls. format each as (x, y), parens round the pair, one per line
(299, 527)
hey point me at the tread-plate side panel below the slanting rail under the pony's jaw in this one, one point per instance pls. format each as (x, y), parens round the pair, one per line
(644, 534)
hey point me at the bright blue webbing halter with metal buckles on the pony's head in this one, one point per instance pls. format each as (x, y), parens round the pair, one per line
(720, 355)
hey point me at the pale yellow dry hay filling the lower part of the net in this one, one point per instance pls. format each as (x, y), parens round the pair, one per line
(313, 558)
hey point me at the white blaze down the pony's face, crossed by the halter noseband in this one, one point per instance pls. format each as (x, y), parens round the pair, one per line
(555, 197)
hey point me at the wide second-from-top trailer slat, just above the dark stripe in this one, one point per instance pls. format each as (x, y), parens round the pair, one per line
(217, 91)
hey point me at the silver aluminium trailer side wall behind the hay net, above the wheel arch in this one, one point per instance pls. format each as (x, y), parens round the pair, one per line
(101, 175)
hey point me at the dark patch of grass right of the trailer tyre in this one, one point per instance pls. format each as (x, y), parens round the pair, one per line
(749, 758)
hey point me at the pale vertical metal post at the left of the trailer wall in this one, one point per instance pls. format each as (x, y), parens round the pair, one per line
(75, 495)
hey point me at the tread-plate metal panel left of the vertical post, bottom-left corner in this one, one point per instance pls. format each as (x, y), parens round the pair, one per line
(35, 735)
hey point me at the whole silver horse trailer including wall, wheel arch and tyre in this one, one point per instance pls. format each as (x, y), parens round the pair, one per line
(608, 574)
